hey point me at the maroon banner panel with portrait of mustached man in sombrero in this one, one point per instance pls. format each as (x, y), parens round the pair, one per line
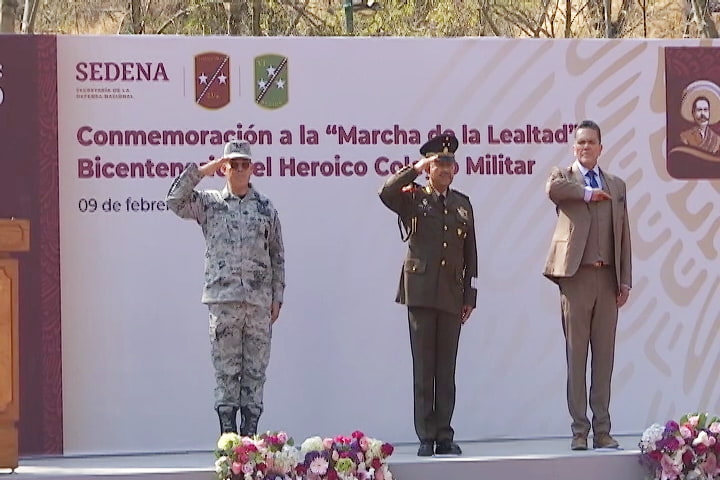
(693, 112)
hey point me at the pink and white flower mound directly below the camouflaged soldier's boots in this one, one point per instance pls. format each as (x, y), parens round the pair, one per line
(270, 456)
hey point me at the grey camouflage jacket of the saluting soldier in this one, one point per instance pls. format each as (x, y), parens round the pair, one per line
(244, 255)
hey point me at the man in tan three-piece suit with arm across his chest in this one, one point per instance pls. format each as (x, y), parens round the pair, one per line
(590, 260)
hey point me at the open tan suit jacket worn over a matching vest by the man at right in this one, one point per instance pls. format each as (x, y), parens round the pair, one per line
(566, 188)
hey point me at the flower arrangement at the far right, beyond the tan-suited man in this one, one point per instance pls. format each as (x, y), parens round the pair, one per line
(684, 450)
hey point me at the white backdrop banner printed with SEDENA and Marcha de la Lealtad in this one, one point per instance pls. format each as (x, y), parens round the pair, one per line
(329, 119)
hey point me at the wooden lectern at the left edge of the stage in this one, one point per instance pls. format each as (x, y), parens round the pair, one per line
(14, 237)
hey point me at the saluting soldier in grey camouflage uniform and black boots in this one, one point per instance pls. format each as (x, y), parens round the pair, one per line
(244, 279)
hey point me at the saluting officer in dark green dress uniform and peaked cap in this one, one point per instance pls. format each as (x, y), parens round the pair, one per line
(437, 283)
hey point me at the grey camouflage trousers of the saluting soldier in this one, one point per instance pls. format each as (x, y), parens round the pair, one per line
(240, 339)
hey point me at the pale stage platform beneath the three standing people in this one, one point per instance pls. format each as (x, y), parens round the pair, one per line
(544, 459)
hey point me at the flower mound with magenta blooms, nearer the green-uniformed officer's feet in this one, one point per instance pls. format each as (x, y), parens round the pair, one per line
(356, 457)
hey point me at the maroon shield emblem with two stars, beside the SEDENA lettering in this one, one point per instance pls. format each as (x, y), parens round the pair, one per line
(212, 80)
